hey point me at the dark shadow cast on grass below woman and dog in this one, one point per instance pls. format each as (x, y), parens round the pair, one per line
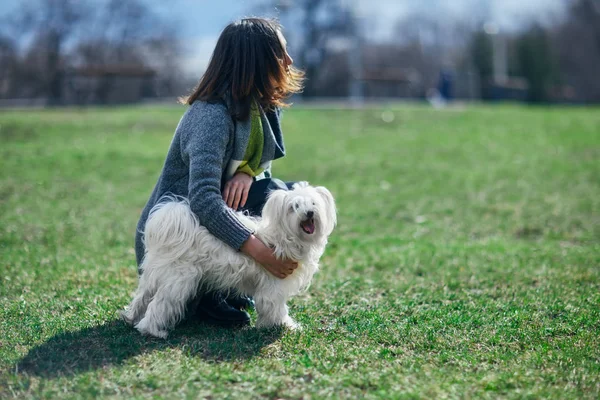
(72, 353)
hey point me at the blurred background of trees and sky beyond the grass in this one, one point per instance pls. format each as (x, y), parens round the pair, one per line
(65, 52)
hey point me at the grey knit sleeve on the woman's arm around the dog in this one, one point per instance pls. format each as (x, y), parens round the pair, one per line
(205, 132)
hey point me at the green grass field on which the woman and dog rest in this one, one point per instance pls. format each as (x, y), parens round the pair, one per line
(466, 261)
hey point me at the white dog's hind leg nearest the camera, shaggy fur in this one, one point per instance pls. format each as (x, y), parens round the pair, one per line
(168, 305)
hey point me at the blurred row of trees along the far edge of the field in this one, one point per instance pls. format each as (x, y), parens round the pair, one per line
(97, 51)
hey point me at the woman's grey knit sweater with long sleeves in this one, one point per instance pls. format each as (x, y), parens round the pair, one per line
(200, 161)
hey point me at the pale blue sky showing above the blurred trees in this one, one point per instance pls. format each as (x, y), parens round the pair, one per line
(201, 21)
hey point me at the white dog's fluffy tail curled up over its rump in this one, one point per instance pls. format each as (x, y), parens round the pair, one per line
(171, 228)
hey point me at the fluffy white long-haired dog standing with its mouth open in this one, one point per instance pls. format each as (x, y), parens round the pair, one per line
(181, 256)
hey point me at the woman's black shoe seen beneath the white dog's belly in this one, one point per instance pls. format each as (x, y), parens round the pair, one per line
(213, 308)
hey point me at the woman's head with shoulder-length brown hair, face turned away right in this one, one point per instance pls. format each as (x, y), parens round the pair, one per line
(248, 64)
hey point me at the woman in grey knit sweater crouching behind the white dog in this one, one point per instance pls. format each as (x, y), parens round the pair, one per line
(221, 153)
